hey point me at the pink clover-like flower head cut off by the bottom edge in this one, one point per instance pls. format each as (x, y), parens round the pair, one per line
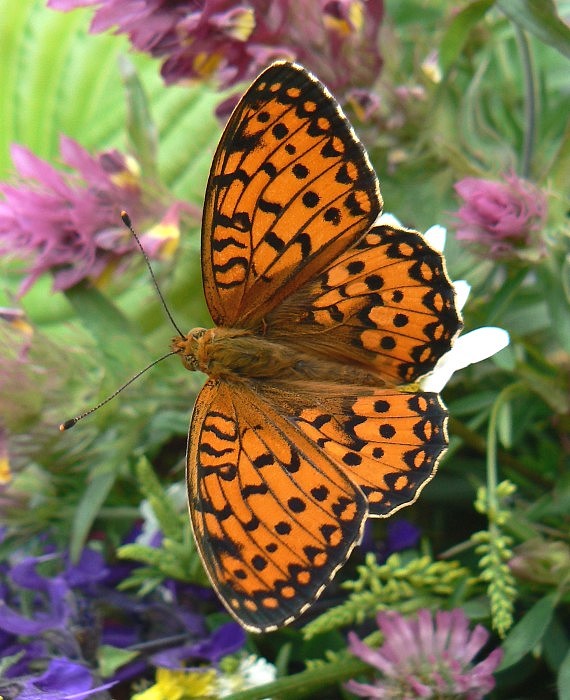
(426, 658)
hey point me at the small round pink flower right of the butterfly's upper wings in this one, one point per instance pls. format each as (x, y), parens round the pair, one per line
(501, 218)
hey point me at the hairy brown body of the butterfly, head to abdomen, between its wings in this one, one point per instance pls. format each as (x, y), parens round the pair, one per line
(234, 354)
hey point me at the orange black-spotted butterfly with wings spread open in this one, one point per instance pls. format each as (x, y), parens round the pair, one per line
(308, 423)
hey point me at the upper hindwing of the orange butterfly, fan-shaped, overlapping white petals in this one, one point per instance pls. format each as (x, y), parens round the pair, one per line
(386, 304)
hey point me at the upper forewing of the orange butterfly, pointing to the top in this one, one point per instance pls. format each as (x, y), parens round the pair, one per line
(290, 189)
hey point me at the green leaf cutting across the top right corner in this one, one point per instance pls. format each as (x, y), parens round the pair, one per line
(539, 17)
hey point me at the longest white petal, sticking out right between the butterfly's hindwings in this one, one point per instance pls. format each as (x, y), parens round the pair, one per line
(468, 349)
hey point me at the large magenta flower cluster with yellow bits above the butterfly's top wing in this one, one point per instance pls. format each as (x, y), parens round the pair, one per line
(338, 39)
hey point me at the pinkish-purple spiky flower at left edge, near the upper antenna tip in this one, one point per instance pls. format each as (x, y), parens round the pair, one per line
(69, 224)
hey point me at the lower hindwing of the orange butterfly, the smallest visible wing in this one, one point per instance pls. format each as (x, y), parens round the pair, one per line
(387, 442)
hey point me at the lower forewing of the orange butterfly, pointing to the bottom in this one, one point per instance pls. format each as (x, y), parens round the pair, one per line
(273, 516)
